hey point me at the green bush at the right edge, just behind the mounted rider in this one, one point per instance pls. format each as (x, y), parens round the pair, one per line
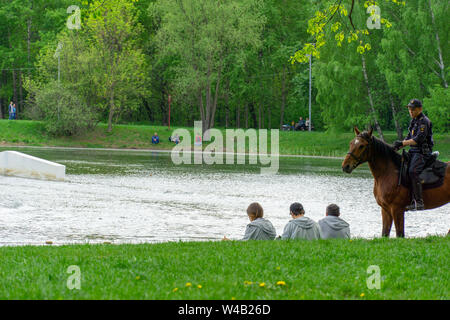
(436, 108)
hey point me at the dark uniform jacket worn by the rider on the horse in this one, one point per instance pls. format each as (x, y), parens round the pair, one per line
(420, 130)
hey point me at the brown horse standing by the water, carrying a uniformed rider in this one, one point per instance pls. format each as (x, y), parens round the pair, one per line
(384, 163)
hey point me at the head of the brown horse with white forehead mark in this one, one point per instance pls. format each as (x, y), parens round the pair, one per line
(359, 150)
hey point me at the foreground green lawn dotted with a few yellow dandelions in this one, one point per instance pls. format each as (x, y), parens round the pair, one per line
(324, 269)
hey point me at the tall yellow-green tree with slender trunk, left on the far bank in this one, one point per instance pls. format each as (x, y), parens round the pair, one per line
(119, 69)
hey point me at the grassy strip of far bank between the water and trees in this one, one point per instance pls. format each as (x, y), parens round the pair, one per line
(32, 133)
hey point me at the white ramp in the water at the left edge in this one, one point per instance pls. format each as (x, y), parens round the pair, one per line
(13, 163)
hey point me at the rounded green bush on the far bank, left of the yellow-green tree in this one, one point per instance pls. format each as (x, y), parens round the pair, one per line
(63, 111)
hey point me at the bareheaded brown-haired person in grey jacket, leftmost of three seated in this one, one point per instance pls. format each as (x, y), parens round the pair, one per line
(258, 228)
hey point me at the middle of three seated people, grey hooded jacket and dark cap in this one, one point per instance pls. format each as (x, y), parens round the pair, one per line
(300, 227)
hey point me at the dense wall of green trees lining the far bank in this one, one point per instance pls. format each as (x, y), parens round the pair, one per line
(129, 55)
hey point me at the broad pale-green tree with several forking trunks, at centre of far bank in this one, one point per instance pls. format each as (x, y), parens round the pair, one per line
(201, 34)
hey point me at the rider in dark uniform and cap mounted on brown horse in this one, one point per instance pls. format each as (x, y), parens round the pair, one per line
(420, 140)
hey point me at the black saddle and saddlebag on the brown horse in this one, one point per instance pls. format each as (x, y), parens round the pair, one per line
(431, 177)
